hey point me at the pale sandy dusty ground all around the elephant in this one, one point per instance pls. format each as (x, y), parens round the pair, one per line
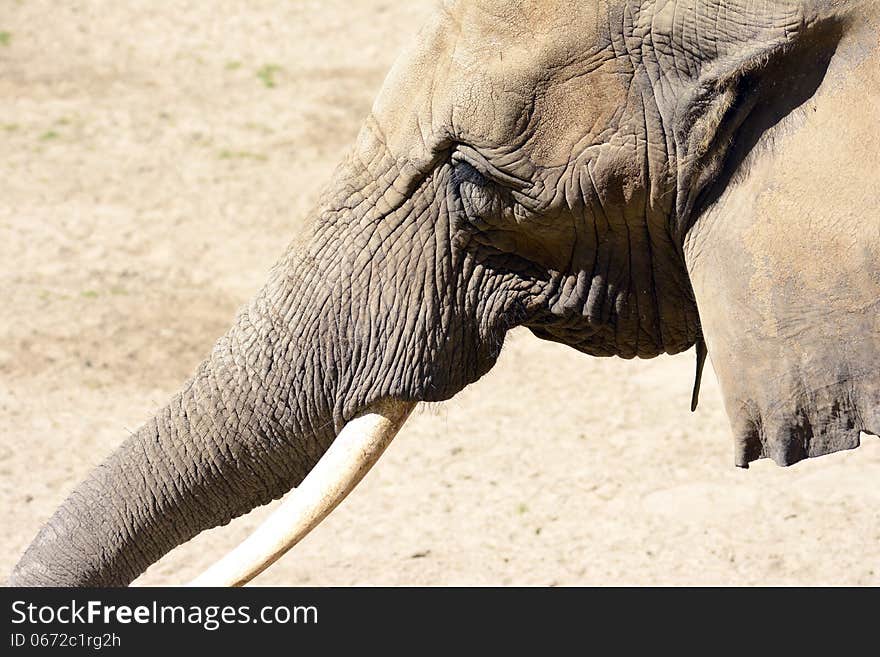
(156, 156)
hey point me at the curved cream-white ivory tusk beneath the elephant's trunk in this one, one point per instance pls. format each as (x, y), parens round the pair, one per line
(354, 451)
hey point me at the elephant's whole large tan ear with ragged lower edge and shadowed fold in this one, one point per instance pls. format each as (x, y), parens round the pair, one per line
(779, 208)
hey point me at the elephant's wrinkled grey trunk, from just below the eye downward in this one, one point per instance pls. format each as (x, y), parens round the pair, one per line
(373, 303)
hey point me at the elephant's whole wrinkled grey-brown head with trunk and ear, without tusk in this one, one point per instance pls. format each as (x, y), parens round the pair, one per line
(625, 178)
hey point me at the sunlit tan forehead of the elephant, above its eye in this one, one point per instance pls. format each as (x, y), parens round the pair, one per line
(494, 73)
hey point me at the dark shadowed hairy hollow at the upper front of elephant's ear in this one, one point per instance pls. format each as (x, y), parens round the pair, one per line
(720, 118)
